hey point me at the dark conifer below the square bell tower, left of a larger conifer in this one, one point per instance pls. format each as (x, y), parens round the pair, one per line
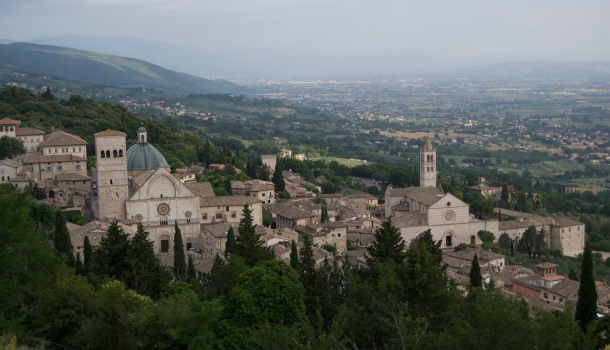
(109, 257)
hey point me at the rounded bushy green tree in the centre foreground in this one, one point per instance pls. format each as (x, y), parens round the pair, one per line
(270, 292)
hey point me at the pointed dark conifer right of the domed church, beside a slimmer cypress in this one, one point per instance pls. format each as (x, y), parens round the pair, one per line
(248, 244)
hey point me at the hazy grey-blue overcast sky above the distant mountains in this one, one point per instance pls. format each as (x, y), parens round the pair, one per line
(478, 30)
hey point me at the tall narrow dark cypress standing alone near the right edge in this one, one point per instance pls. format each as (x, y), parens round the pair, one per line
(586, 307)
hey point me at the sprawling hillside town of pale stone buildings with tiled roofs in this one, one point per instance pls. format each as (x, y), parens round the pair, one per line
(135, 185)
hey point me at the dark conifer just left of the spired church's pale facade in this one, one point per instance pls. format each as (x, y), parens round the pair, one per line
(388, 244)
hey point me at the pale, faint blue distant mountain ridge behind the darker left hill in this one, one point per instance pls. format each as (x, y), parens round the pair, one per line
(180, 58)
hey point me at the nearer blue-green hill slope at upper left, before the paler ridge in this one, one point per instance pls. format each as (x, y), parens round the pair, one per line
(97, 68)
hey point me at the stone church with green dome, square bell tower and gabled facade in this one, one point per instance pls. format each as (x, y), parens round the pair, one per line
(135, 185)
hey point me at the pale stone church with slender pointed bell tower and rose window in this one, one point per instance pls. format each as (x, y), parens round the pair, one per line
(416, 209)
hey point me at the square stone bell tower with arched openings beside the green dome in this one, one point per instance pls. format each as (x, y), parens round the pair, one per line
(111, 167)
